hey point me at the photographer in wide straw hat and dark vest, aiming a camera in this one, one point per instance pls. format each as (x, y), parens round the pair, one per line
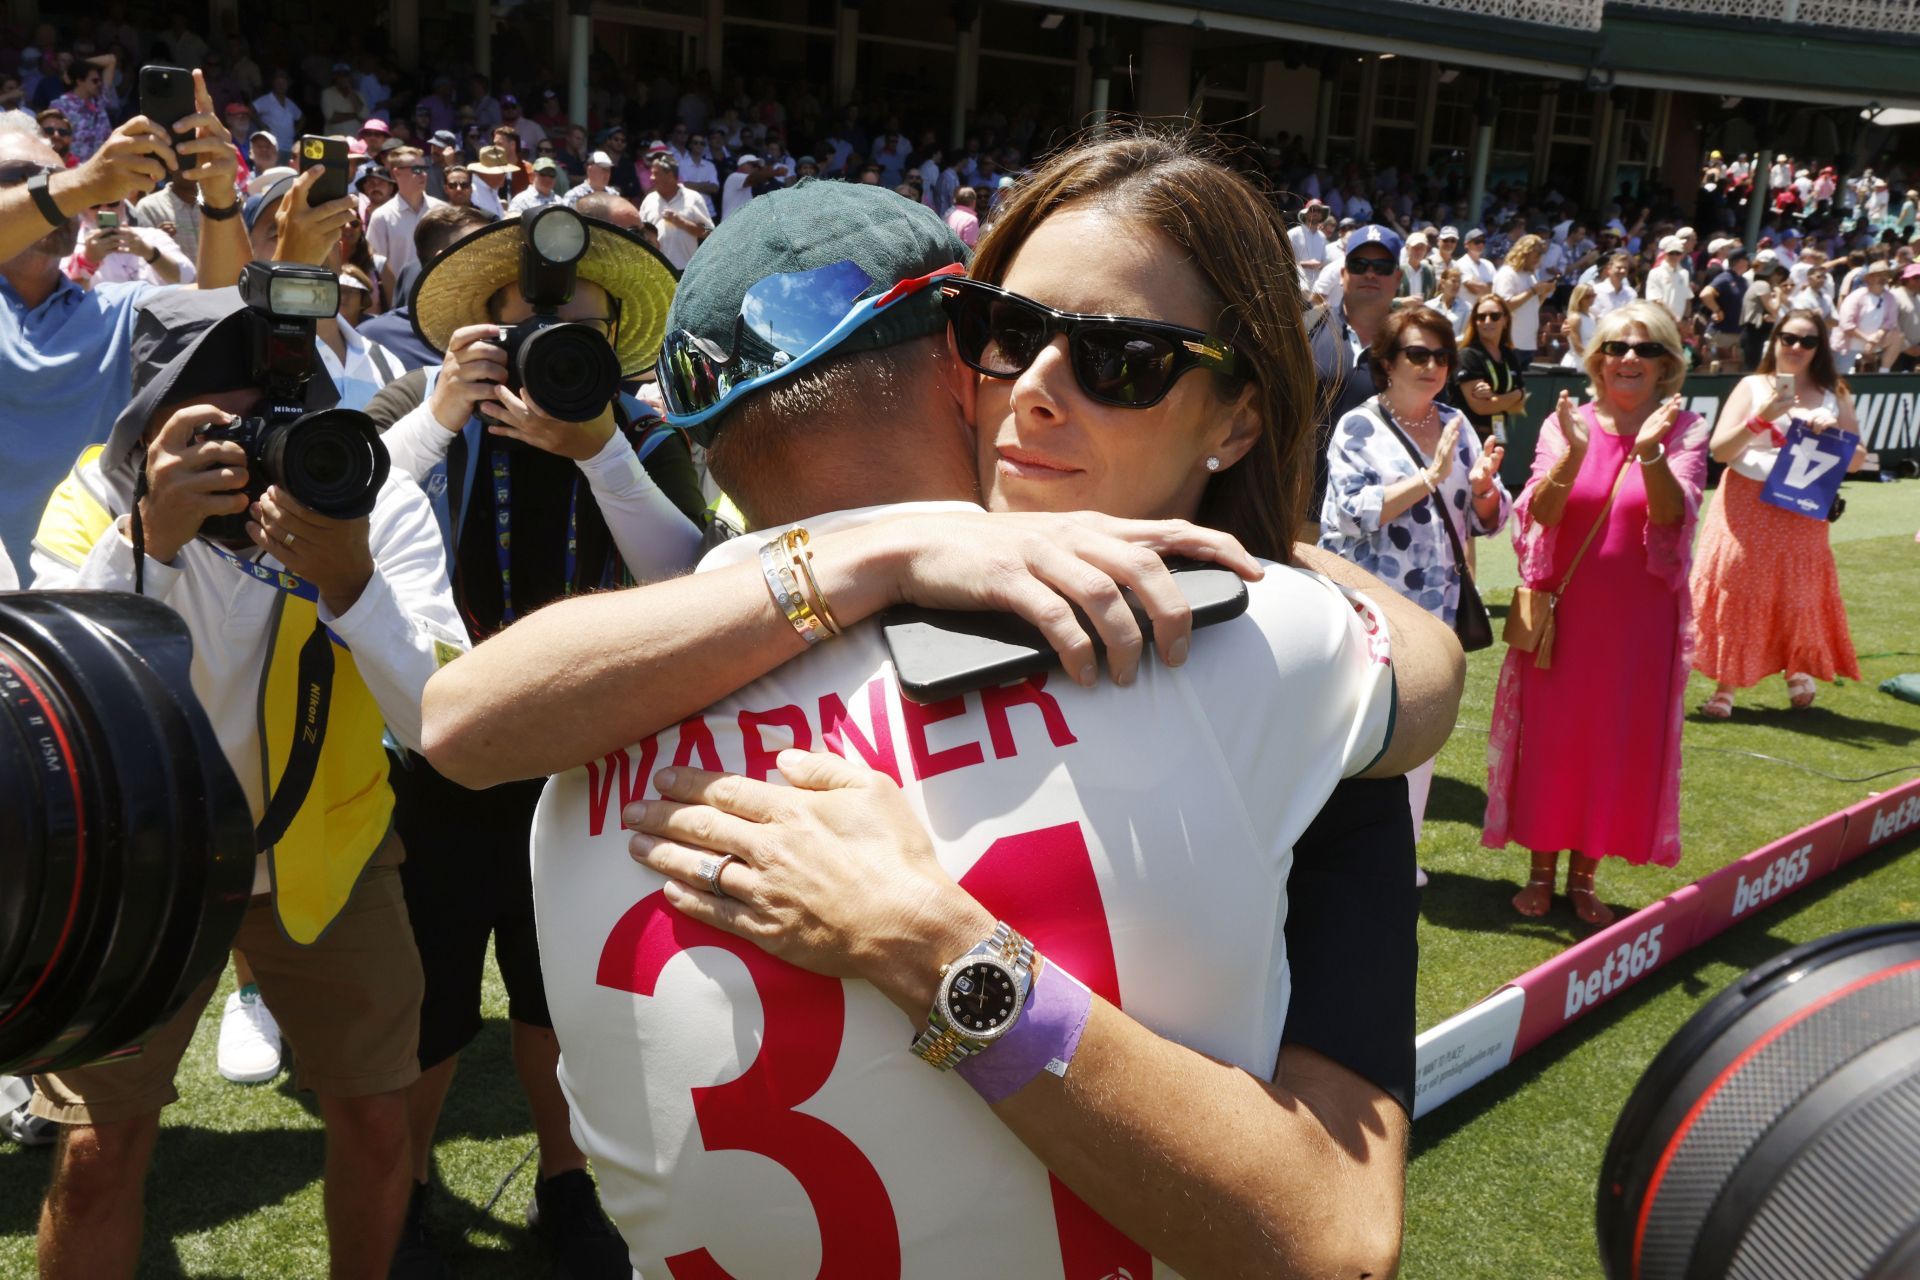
(535, 508)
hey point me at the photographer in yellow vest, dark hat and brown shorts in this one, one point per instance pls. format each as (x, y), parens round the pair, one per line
(312, 638)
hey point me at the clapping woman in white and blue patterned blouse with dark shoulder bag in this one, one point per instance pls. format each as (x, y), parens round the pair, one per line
(1408, 485)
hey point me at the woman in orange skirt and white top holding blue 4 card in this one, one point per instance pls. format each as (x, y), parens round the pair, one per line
(1765, 588)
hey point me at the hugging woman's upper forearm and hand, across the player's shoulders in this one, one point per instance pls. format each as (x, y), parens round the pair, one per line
(594, 673)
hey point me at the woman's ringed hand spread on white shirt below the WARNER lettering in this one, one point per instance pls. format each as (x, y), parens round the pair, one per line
(836, 874)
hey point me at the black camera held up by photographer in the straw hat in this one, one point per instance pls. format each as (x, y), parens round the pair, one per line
(565, 367)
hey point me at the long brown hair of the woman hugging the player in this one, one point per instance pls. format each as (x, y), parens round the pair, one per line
(1234, 235)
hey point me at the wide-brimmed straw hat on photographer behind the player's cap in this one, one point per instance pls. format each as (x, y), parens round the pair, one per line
(456, 287)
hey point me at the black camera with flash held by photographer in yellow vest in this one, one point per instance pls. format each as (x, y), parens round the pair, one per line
(329, 460)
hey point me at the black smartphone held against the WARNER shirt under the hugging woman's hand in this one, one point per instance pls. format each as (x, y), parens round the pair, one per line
(944, 653)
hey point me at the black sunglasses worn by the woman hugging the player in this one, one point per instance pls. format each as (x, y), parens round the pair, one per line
(1116, 360)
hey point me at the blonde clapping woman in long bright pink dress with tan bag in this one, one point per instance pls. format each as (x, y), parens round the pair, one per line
(1587, 753)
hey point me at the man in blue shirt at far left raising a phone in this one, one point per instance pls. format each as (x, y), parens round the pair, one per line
(64, 343)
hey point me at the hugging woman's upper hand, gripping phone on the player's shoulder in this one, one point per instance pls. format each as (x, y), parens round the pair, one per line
(1044, 567)
